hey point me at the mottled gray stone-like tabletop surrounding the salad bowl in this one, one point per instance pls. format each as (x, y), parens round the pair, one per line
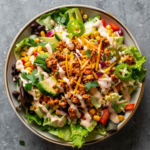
(135, 14)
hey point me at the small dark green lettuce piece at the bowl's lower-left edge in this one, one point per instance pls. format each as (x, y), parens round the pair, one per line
(35, 118)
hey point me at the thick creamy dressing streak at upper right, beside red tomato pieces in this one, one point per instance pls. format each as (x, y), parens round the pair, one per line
(102, 31)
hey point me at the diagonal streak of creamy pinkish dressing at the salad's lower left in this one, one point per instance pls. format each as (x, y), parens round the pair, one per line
(53, 118)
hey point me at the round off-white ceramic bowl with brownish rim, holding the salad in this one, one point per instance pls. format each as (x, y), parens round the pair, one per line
(10, 85)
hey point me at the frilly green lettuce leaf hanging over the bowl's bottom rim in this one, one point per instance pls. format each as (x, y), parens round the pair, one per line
(78, 135)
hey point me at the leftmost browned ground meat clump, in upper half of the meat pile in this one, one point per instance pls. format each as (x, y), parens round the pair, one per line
(52, 61)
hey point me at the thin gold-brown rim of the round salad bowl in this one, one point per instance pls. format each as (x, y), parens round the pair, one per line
(9, 94)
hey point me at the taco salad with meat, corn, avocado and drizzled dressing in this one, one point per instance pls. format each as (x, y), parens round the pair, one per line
(75, 75)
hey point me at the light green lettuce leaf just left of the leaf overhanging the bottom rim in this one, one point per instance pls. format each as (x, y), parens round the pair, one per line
(63, 132)
